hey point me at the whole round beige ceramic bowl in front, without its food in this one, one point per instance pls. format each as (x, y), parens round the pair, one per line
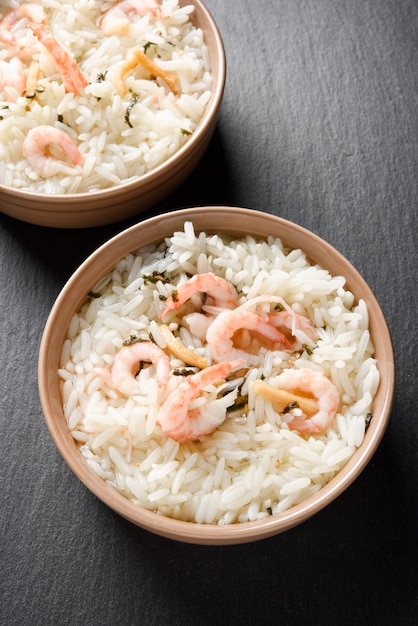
(237, 222)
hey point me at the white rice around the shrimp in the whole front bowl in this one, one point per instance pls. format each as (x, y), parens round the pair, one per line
(252, 466)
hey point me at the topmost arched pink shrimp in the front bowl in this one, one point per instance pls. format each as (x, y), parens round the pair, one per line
(221, 291)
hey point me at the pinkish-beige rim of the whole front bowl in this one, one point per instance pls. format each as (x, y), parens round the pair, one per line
(179, 530)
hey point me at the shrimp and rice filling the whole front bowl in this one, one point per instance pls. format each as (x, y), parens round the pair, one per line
(218, 380)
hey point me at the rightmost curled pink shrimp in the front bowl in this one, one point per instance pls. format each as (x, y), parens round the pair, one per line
(317, 386)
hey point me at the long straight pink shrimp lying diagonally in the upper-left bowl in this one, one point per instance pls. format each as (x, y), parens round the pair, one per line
(72, 76)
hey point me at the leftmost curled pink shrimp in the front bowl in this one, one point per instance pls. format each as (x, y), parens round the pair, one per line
(127, 360)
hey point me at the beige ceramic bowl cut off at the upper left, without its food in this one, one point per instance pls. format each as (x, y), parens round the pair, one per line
(123, 201)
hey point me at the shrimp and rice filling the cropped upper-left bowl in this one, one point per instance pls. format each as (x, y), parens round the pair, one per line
(94, 94)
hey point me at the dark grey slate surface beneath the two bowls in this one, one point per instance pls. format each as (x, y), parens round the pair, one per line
(319, 125)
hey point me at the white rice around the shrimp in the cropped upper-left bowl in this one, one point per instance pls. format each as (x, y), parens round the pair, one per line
(114, 150)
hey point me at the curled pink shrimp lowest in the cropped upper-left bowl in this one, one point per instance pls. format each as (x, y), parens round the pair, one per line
(37, 148)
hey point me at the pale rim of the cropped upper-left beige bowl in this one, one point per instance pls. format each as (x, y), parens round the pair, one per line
(149, 179)
